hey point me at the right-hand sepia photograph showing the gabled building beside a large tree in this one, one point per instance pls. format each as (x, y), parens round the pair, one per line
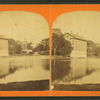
(76, 52)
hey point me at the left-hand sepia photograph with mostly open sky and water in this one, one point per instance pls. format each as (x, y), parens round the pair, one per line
(24, 51)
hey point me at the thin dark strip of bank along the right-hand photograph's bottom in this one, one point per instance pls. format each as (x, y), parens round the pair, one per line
(84, 87)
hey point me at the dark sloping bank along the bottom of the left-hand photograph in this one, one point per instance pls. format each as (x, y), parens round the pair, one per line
(26, 86)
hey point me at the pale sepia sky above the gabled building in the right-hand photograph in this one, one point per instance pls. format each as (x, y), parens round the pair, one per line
(83, 23)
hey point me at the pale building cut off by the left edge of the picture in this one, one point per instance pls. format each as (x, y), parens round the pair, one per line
(3, 46)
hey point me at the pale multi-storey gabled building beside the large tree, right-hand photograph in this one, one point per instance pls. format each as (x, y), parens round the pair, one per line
(78, 43)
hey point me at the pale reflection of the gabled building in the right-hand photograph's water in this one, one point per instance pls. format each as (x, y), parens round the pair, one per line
(78, 69)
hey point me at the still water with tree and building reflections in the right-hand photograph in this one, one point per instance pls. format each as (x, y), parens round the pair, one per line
(76, 71)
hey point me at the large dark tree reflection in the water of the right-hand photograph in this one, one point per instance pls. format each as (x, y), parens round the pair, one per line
(60, 69)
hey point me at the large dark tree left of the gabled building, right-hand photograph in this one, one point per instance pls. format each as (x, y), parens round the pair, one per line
(63, 46)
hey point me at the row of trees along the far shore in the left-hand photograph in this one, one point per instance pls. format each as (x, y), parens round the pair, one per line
(20, 47)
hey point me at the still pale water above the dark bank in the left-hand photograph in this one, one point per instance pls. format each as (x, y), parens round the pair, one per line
(24, 68)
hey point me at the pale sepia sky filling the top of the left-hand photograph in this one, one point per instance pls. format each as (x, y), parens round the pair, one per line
(21, 25)
